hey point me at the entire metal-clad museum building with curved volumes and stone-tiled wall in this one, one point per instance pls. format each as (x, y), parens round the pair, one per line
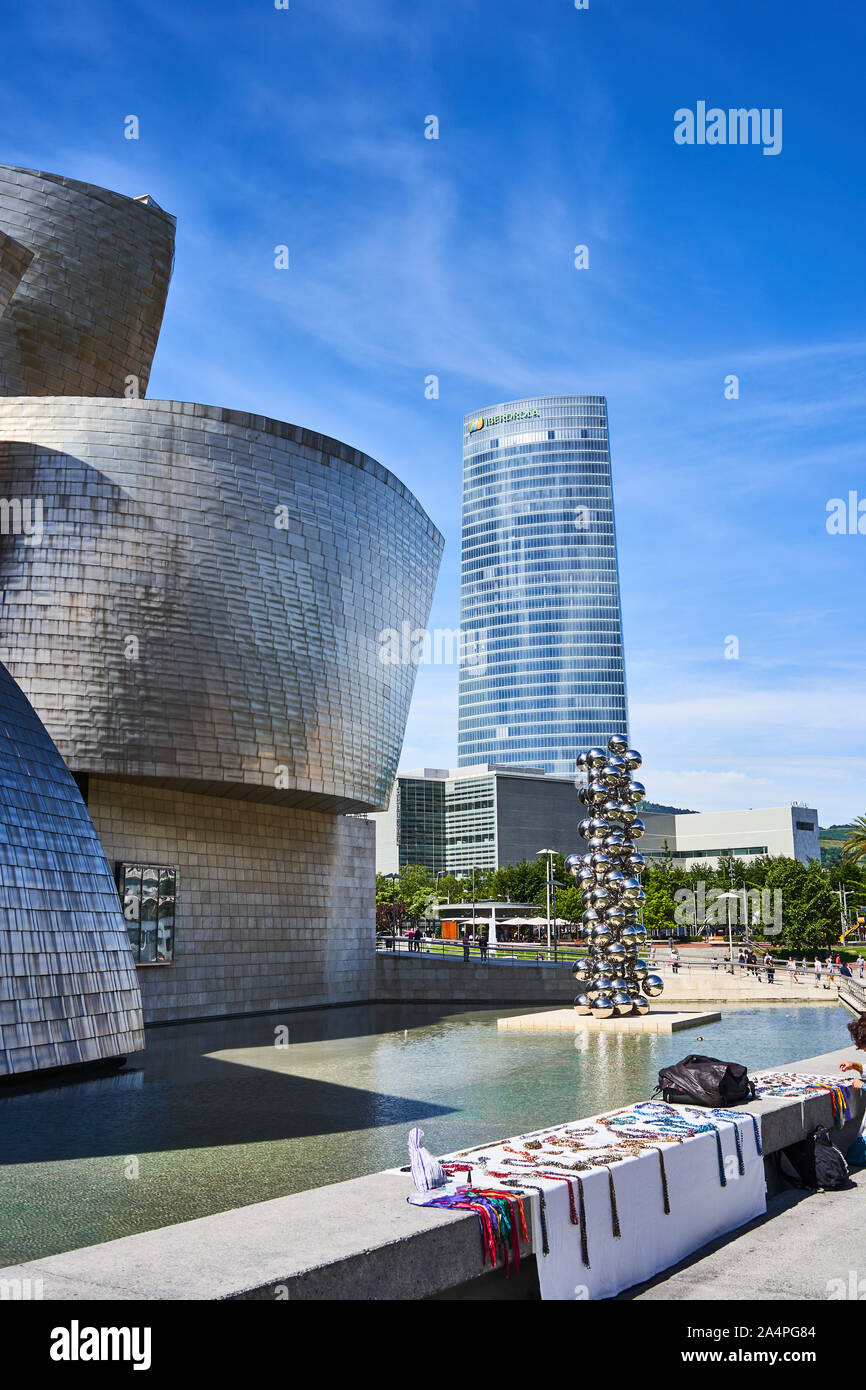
(194, 711)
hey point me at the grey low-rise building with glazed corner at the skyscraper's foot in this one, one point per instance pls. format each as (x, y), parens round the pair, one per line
(476, 818)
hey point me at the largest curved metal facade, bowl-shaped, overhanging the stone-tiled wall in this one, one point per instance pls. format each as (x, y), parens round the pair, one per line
(206, 601)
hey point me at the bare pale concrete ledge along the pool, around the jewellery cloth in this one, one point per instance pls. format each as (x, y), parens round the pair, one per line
(357, 1241)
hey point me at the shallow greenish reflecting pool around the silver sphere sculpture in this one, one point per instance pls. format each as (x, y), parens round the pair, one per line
(219, 1115)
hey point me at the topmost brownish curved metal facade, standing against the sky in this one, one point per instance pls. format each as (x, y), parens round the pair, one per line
(87, 312)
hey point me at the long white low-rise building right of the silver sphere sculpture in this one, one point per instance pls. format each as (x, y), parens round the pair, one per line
(704, 837)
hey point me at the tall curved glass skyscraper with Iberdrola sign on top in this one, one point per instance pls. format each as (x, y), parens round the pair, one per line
(543, 672)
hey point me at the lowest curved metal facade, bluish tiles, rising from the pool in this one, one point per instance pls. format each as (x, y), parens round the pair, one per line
(69, 989)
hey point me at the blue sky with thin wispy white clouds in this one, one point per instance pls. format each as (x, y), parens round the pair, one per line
(455, 258)
